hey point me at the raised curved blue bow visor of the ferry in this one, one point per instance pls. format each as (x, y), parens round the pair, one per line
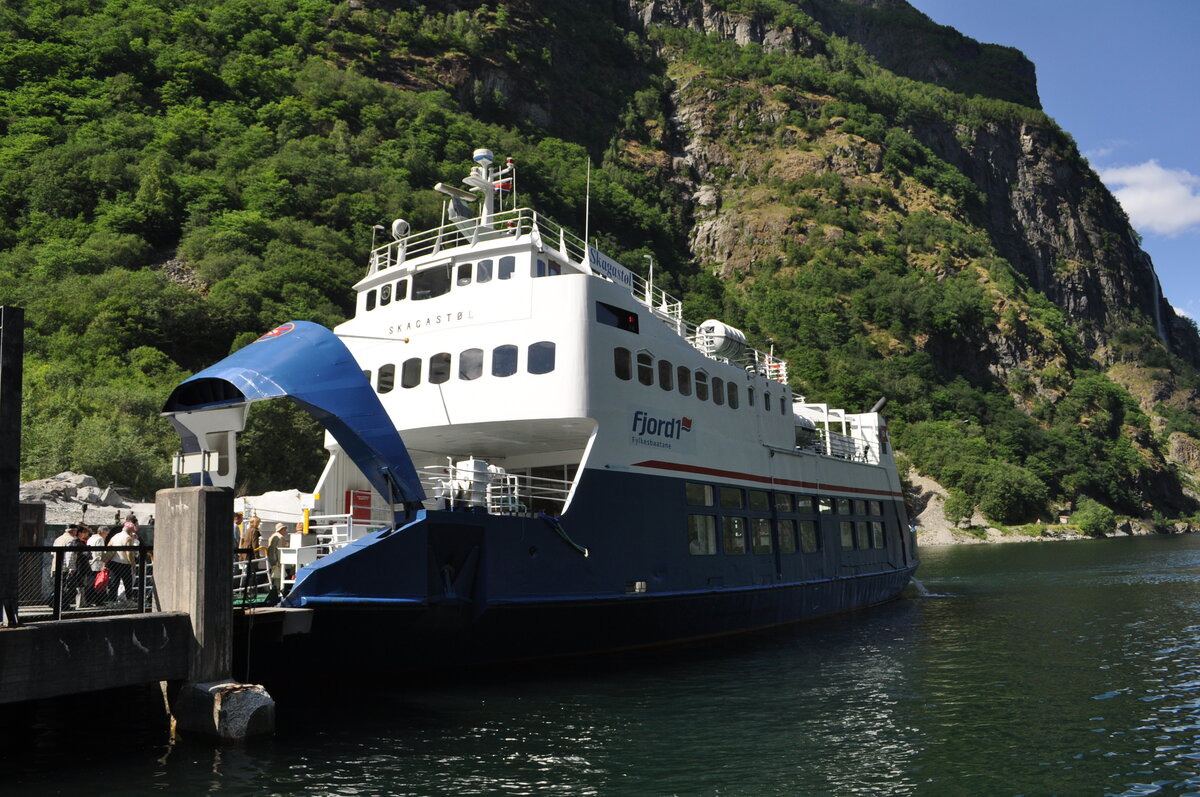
(311, 367)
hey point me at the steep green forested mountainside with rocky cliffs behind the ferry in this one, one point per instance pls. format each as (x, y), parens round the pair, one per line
(181, 177)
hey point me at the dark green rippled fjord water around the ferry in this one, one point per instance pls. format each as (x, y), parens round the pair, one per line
(1037, 669)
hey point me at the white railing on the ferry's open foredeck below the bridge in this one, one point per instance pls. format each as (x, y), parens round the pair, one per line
(499, 493)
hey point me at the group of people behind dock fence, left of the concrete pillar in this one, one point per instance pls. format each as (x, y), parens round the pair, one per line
(89, 555)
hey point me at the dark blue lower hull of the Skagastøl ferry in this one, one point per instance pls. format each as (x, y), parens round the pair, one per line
(454, 589)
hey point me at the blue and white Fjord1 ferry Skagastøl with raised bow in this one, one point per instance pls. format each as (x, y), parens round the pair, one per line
(538, 457)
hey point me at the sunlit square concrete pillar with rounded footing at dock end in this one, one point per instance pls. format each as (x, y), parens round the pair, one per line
(194, 573)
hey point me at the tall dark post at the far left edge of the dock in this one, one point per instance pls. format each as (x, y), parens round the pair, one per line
(13, 350)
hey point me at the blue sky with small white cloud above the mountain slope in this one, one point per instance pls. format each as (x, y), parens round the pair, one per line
(1124, 79)
